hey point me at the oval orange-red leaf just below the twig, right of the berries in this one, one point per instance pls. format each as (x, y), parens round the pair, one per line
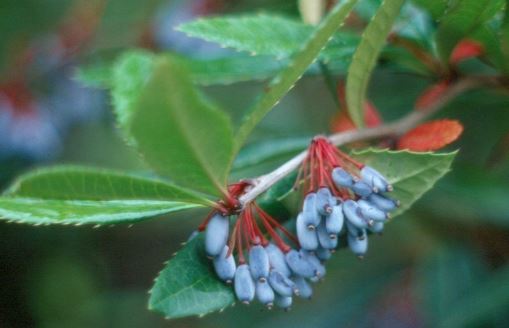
(431, 135)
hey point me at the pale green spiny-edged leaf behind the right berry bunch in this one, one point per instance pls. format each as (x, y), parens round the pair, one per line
(412, 174)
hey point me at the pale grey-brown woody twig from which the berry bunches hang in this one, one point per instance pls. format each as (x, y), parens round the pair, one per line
(263, 183)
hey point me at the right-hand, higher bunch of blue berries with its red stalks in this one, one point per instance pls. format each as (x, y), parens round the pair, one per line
(340, 191)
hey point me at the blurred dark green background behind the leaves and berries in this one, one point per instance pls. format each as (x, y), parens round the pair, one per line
(443, 263)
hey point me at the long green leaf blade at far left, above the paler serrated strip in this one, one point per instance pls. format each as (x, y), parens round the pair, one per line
(82, 183)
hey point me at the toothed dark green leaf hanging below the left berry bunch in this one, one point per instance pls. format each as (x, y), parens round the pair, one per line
(188, 285)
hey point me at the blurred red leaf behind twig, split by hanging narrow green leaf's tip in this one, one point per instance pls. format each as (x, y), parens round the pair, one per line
(342, 122)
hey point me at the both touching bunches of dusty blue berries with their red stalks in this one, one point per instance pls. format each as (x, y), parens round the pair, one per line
(339, 191)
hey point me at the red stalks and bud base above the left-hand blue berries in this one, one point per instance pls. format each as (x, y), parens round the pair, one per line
(253, 225)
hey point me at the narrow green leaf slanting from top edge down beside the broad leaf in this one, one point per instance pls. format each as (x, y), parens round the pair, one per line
(285, 80)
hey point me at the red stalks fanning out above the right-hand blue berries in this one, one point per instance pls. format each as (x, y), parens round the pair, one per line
(322, 158)
